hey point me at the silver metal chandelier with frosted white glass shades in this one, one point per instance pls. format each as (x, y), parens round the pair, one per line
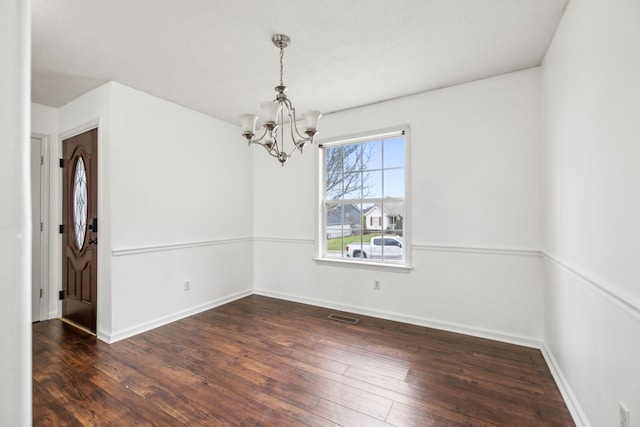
(273, 133)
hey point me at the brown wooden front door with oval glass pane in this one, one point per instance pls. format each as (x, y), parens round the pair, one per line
(80, 229)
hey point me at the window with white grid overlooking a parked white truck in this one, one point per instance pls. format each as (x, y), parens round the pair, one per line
(363, 191)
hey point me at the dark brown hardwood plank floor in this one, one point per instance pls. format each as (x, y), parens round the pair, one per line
(265, 362)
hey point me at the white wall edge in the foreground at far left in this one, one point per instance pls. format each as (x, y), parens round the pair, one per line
(15, 222)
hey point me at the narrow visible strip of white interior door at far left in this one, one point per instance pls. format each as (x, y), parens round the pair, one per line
(36, 225)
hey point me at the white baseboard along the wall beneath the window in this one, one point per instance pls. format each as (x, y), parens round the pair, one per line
(413, 320)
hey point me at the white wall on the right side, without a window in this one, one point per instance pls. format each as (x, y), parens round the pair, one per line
(591, 104)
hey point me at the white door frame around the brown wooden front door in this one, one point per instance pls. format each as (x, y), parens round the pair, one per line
(87, 126)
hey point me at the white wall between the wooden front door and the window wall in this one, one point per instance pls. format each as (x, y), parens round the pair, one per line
(172, 207)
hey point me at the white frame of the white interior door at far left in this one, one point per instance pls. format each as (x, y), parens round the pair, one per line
(45, 191)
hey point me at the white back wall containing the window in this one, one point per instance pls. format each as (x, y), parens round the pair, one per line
(475, 208)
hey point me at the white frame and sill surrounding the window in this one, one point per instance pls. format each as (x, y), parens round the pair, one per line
(321, 190)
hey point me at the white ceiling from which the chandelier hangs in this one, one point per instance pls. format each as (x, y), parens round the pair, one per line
(216, 56)
